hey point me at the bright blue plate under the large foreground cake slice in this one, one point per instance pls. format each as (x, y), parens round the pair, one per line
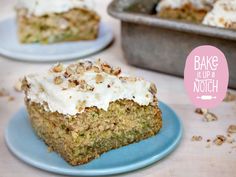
(22, 141)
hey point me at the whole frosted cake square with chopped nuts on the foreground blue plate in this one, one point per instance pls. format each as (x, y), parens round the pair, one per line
(88, 108)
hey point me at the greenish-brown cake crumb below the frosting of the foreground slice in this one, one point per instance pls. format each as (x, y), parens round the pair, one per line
(83, 137)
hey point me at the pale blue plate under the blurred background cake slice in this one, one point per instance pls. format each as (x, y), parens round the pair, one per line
(10, 47)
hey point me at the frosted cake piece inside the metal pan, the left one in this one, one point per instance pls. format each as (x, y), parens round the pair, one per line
(187, 10)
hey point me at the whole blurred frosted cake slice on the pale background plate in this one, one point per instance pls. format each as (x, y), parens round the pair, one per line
(49, 21)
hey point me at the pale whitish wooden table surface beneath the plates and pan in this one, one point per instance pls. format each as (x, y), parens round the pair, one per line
(189, 159)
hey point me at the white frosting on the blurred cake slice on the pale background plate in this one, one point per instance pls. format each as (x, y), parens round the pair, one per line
(43, 7)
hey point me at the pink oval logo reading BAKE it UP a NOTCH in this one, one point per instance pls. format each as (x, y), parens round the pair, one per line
(206, 76)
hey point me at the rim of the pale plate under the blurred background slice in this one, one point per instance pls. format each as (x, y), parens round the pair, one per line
(19, 56)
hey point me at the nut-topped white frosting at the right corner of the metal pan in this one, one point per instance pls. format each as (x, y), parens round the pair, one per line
(223, 14)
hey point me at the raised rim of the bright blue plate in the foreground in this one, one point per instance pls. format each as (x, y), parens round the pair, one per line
(108, 171)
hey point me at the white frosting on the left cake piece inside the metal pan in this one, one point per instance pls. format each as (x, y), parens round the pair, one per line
(198, 4)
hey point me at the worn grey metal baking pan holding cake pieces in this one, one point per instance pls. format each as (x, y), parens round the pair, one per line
(163, 45)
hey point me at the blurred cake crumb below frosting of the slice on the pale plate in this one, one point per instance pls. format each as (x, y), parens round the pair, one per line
(75, 24)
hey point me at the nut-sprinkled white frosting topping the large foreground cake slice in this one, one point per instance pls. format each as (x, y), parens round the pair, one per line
(63, 92)
